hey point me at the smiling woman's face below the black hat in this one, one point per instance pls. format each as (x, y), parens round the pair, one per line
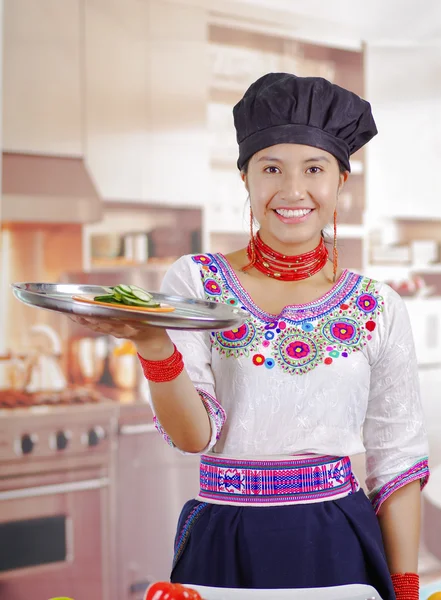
(293, 192)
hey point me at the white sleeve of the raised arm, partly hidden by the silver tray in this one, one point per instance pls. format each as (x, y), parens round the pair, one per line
(183, 279)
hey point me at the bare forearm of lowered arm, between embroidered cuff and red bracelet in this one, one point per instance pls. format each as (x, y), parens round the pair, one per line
(400, 517)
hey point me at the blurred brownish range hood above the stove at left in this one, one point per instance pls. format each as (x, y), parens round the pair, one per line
(47, 189)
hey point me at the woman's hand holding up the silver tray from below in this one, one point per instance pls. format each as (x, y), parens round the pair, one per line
(152, 343)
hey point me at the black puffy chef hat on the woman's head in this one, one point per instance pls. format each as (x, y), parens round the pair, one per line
(282, 108)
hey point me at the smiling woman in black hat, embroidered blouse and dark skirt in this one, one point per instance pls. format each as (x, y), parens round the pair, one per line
(323, 368)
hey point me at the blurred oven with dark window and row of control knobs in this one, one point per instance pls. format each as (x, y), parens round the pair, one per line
(56, 507)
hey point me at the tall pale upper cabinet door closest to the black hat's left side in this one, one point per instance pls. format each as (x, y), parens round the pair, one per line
(176, 166)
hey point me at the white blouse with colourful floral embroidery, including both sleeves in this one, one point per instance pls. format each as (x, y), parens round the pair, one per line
(337, 376)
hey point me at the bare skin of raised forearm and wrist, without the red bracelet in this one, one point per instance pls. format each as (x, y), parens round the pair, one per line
(177, 404)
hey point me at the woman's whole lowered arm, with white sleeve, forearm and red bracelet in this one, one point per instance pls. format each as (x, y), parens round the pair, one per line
(396, 444)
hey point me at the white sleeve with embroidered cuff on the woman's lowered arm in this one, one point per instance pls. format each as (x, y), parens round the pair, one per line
(394, 434)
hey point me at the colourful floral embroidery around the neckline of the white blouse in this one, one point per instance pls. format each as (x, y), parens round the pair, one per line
(302, 337)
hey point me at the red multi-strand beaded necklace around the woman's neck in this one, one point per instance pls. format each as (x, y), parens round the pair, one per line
(282, 267)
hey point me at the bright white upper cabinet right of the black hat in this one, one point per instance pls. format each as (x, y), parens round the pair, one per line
(404, 157)
